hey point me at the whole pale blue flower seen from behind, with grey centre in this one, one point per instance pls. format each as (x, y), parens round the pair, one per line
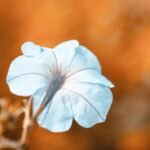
(66, 80)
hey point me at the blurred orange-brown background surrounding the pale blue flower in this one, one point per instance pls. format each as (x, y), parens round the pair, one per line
(118, 32)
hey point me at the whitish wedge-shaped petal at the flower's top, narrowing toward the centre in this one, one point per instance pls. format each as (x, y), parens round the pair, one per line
(64, 53)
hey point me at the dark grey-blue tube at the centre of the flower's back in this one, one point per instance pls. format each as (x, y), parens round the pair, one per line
(57, 79)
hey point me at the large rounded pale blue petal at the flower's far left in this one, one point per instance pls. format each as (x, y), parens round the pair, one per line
(27, 74)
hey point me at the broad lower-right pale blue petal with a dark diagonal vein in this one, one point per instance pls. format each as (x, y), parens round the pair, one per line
(93, 101)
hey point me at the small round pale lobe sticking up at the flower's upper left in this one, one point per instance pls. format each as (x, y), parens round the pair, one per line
(30, 49)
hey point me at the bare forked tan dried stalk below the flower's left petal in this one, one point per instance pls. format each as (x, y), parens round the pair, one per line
(28, 123)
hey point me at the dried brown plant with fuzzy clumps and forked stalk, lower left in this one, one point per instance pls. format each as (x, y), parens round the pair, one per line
(9, 114)
